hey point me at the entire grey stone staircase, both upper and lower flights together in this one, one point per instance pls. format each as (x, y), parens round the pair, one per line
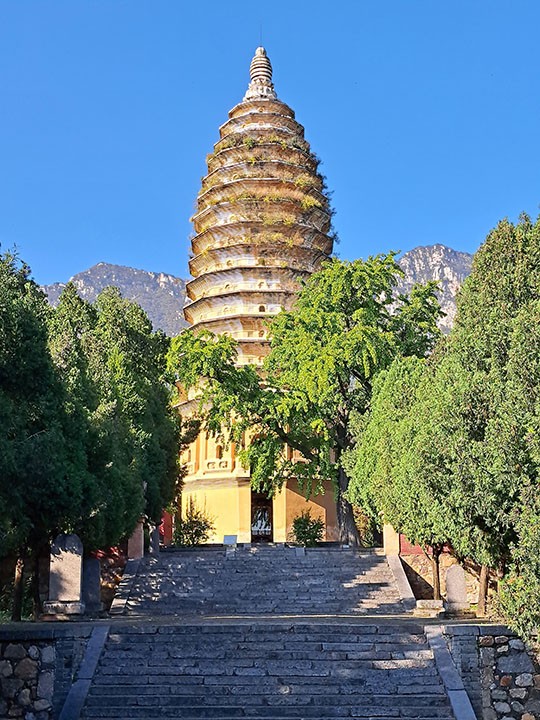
(265, 632)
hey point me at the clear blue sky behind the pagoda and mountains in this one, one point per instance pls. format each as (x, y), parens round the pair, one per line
(426, 115)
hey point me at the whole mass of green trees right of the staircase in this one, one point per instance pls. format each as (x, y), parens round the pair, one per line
(450, 449)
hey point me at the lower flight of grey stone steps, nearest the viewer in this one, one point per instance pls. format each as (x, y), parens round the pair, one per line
(267, 670)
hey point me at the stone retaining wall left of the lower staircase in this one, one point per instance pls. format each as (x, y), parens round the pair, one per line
(38, 664)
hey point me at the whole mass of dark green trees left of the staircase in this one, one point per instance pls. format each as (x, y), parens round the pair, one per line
(88, 440)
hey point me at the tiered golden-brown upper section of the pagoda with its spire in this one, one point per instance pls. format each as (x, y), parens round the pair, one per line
(262, 222)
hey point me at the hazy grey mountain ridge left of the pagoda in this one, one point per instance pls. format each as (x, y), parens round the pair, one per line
(160, 295)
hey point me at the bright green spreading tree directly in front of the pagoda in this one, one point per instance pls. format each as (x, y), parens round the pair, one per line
(346, 325)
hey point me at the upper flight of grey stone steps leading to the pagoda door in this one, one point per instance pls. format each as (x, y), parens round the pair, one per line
(265, 580)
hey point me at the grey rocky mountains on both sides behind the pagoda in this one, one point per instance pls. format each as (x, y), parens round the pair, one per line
(162, 296)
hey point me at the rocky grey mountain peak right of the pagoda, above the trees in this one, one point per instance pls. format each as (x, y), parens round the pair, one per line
(437, 262)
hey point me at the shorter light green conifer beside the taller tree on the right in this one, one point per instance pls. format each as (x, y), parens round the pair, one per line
(388, 464)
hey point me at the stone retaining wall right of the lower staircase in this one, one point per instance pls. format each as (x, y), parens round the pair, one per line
(500, 674)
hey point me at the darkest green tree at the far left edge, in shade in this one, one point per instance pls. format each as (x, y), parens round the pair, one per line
(41, 487)
